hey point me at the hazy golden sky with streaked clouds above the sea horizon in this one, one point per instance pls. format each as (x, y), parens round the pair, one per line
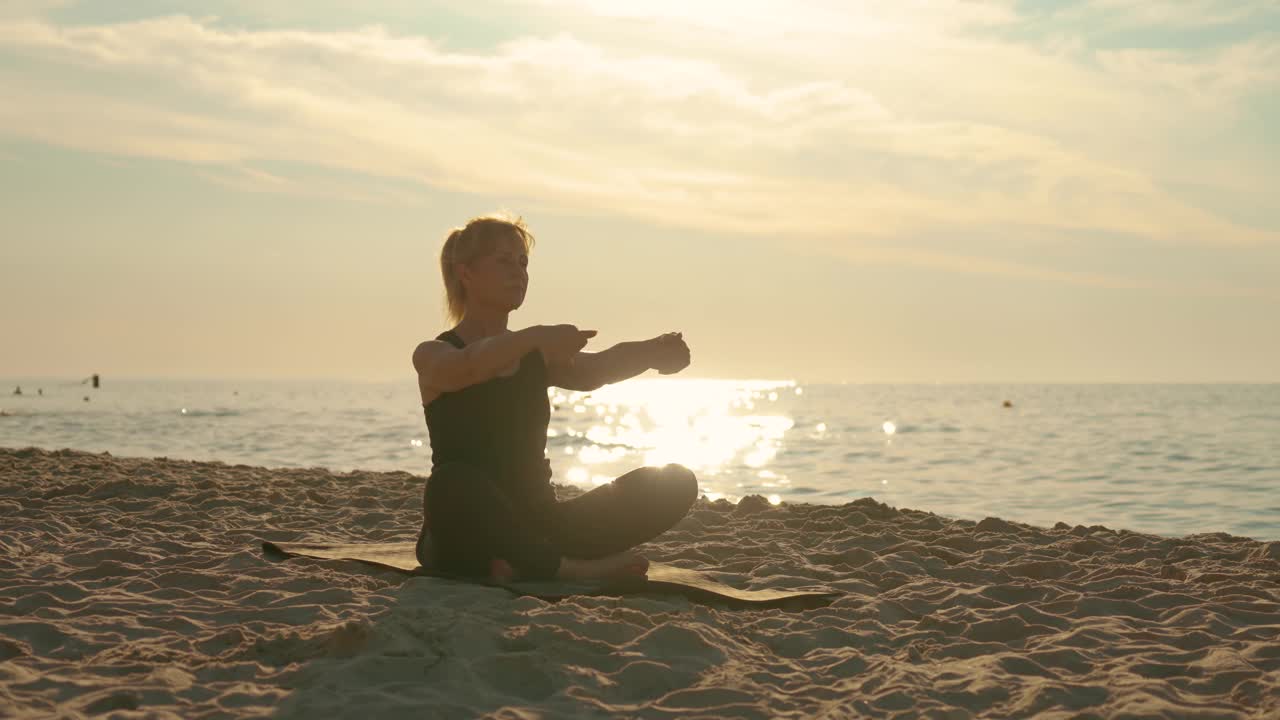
(824, 192)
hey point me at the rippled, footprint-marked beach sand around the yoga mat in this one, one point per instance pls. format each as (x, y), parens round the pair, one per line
(136, 587)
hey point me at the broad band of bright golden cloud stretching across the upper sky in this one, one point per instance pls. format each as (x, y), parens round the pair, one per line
(808, 138)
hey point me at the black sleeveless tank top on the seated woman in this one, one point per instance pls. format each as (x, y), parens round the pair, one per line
(499, 426)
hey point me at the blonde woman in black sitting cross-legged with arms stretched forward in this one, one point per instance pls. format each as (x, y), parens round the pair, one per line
(490, 508)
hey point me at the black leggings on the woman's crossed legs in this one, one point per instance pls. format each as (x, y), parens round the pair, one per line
(472, 522)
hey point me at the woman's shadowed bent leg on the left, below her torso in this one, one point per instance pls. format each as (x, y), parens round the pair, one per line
(472, 523)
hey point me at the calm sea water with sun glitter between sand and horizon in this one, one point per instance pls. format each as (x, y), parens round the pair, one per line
(1164, 459)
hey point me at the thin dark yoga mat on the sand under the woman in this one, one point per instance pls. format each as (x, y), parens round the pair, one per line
(662, 578)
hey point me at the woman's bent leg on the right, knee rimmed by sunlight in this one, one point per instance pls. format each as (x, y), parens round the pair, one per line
(636, 508)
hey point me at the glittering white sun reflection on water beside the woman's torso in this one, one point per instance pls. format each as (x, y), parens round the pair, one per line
(714, 427)
